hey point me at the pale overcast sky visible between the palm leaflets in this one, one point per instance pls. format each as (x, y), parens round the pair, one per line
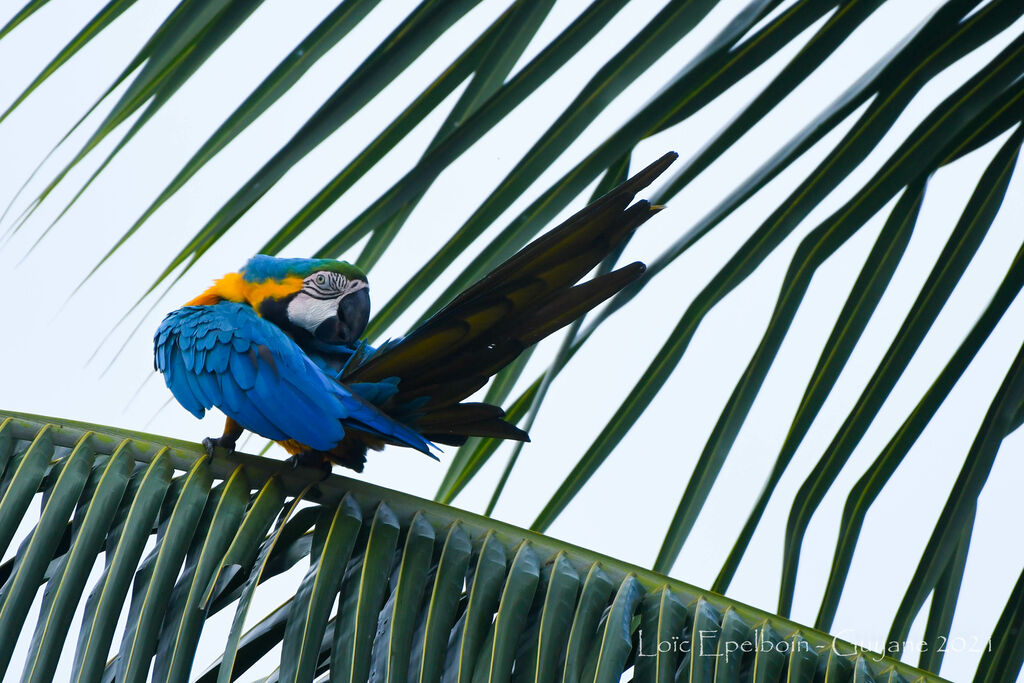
(48, 347)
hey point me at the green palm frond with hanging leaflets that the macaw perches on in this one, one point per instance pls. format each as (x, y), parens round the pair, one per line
(398, 588)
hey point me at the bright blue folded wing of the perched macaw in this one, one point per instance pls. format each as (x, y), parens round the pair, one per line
(226, 356)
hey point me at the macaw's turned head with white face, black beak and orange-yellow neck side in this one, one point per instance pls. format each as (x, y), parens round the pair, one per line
(326, 300)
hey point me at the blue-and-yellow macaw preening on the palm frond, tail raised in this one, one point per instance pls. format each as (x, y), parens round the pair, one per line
(277, 346)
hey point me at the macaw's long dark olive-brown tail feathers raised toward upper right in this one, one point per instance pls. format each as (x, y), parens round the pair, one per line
(521, 303)
